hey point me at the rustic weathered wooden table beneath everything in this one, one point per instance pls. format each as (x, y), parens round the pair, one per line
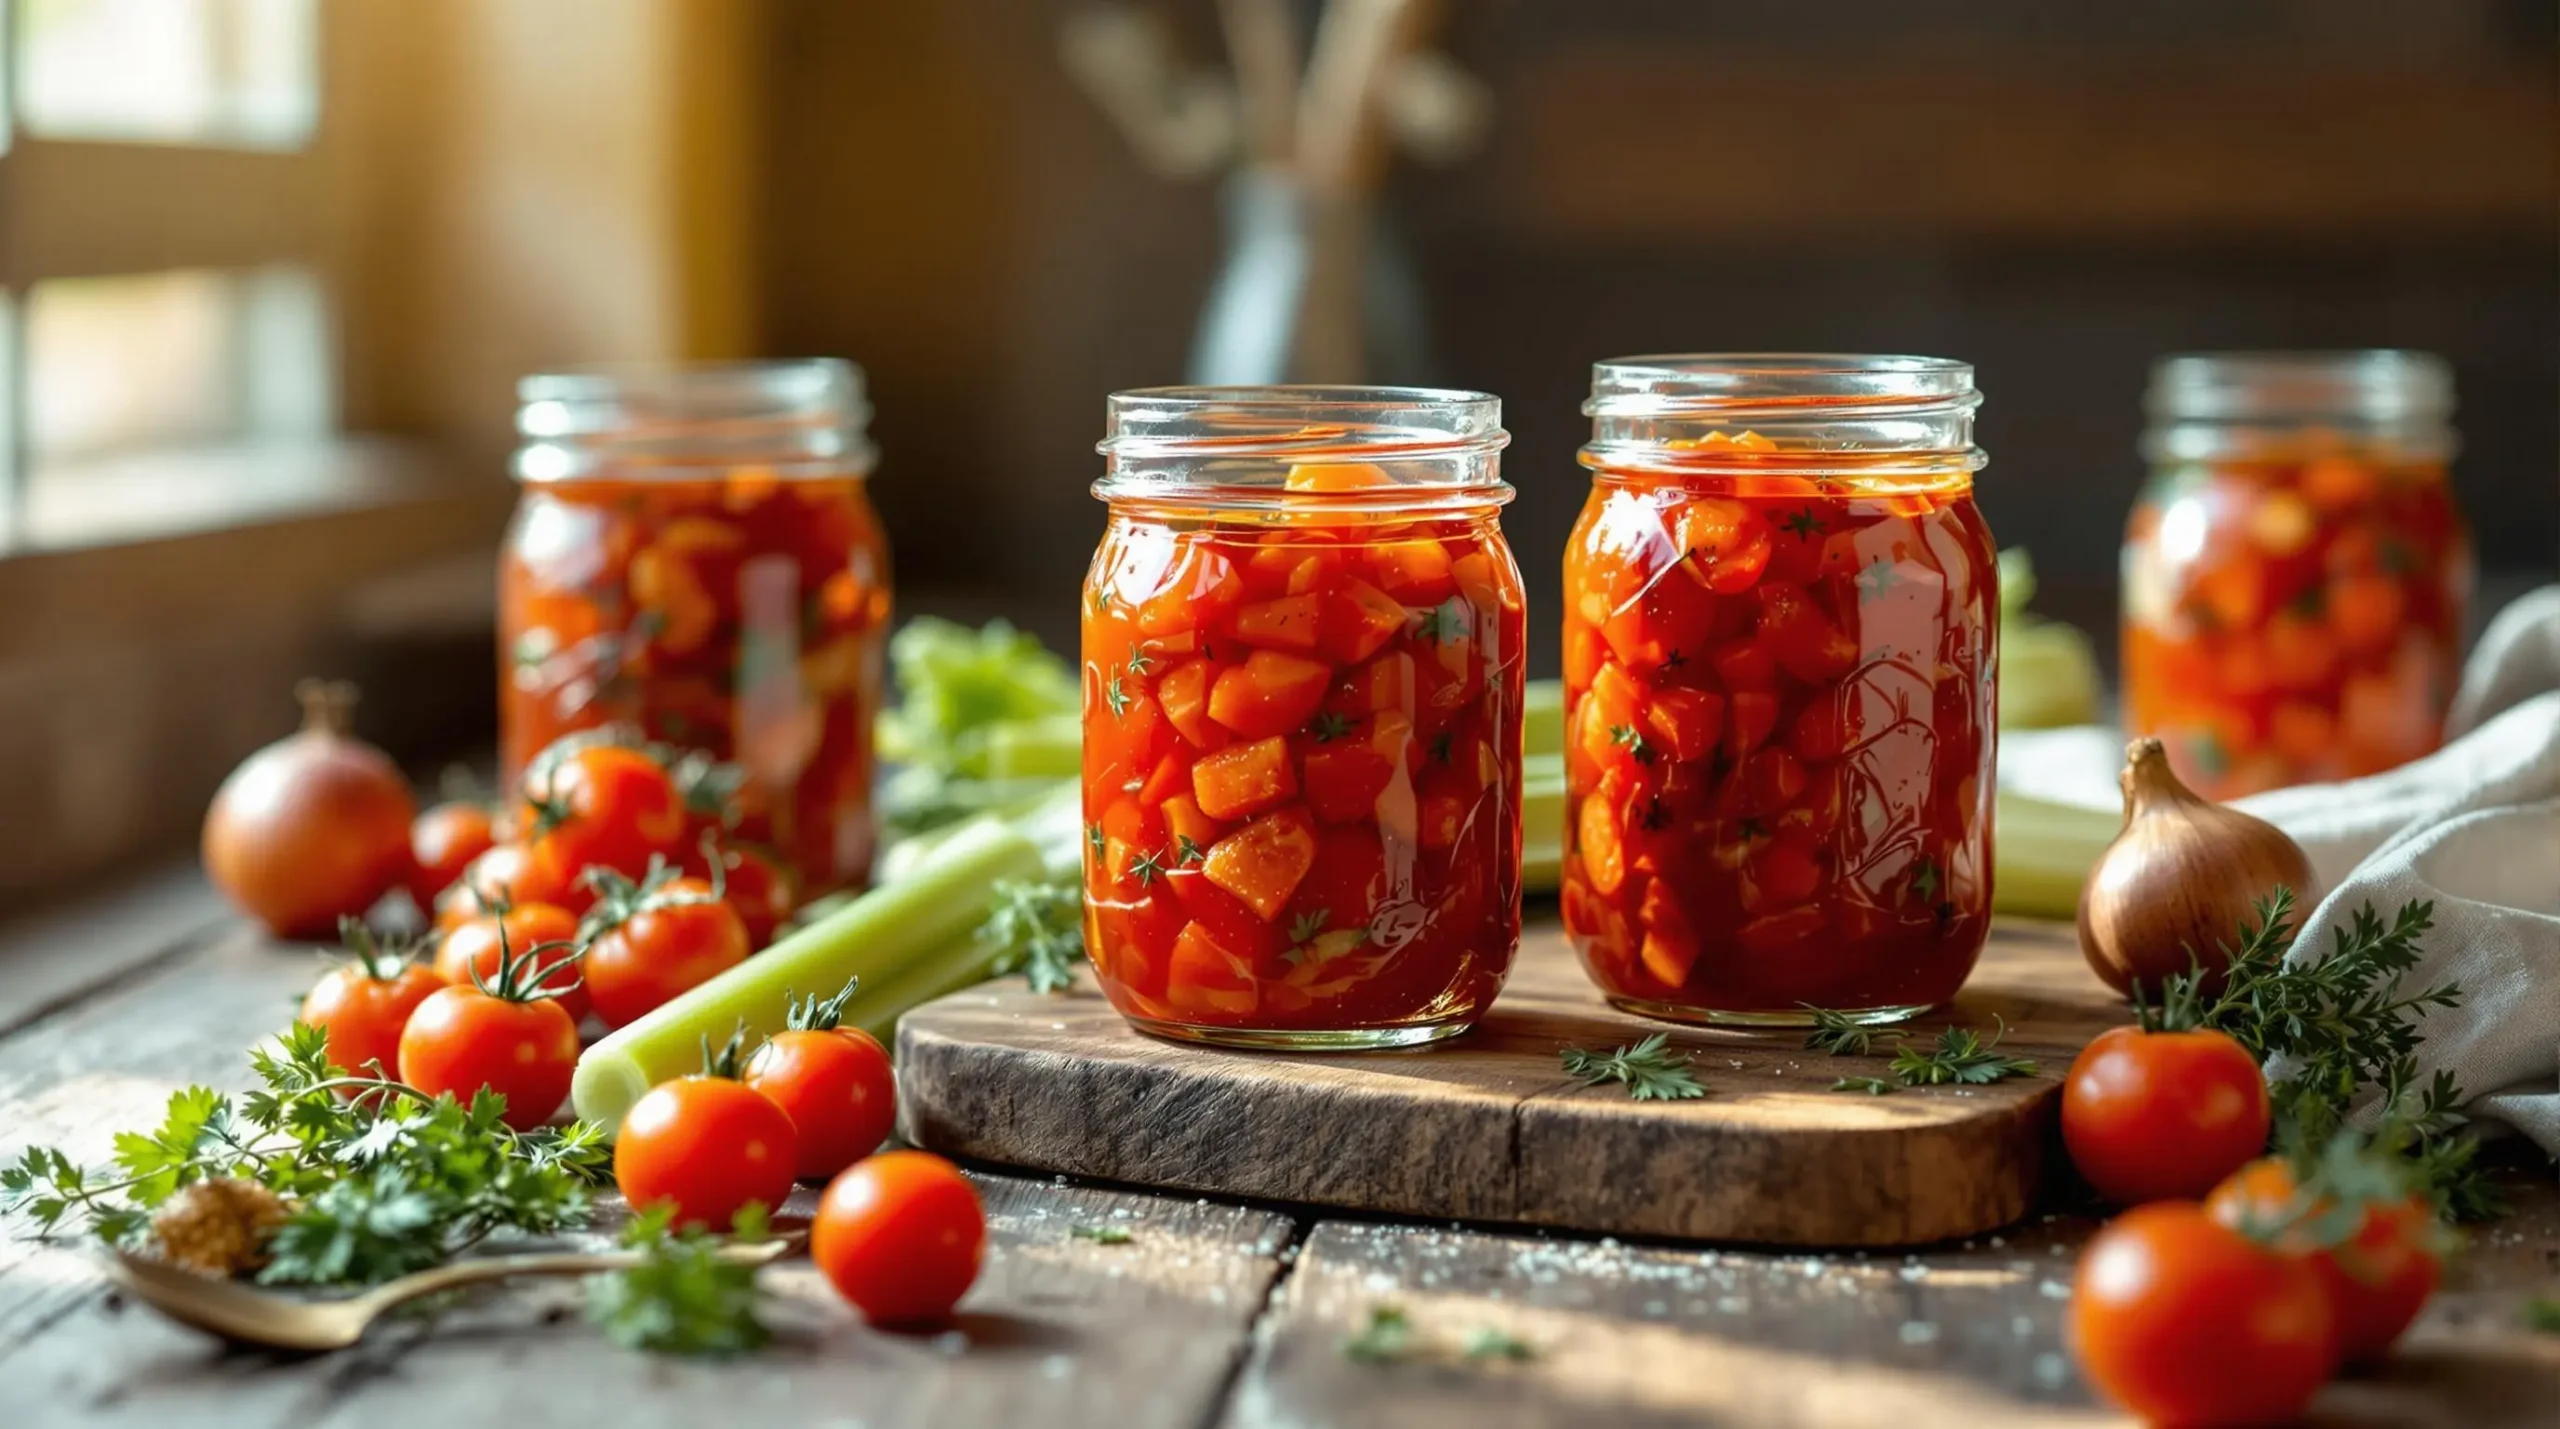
(1207, 1315)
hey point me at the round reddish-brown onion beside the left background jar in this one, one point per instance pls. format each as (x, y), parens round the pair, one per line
(311, 828)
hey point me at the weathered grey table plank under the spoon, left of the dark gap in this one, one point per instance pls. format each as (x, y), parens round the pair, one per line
(1059, 1330)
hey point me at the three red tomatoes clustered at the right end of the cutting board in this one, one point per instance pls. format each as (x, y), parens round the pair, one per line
(2231, 1292)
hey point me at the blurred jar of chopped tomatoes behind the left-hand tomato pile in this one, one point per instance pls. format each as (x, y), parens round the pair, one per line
(695, 557)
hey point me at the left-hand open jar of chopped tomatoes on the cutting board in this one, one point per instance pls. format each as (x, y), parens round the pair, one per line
(1302, 775)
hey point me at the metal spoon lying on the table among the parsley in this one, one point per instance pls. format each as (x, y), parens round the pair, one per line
(288, 1323)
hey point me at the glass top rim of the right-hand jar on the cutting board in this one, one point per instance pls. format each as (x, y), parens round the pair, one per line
(1747, 385)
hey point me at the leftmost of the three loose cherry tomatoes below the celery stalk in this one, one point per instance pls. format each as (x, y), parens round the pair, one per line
(705, 1146)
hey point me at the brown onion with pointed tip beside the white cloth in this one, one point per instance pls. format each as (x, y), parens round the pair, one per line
(2182, 880)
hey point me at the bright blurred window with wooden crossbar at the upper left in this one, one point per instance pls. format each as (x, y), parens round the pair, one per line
(165, 347)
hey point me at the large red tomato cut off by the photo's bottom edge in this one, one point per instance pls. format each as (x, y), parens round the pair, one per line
(2190, 1323)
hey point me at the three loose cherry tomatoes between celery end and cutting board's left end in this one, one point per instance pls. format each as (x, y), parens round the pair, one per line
(895, 1233)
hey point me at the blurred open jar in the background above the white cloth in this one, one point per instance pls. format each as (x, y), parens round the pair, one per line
(2295, 570)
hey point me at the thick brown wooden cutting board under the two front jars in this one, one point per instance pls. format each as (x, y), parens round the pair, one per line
(1489, 1128)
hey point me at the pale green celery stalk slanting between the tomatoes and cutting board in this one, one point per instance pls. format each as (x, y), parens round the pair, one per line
(887, 936)
